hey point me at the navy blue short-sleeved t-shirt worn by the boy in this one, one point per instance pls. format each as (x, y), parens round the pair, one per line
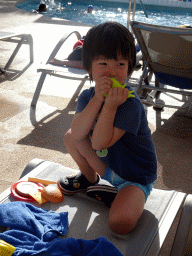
(133, 157)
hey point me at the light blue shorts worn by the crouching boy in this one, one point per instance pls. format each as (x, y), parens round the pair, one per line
(120, 183)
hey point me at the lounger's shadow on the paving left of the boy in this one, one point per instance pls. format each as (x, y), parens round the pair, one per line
(50, 130)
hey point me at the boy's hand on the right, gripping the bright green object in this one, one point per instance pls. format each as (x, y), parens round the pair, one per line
(116, 97)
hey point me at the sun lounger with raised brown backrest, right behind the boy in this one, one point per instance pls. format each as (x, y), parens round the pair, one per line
(166, 54)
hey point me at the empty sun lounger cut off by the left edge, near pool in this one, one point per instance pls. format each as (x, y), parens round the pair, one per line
(19, 39)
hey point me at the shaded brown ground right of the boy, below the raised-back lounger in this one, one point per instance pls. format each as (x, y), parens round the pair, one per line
(173, 143)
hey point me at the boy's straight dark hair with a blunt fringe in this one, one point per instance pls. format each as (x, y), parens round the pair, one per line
(108, 39)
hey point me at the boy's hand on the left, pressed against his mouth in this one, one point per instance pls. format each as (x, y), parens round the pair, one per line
(102, 86)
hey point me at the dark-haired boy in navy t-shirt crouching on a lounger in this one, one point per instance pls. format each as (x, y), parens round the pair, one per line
(109, 136)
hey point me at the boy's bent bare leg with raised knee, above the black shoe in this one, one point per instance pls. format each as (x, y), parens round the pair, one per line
(85, 157)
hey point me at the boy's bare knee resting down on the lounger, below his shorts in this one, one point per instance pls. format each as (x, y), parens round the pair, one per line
(126, 209)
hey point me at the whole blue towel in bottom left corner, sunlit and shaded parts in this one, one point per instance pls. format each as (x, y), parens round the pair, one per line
(34, 230)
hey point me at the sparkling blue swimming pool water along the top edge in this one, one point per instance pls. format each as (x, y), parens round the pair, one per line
(75, 10)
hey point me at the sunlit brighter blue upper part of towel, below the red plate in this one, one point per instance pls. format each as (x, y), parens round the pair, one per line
(39, 223)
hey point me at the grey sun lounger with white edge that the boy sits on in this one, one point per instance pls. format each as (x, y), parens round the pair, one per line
(88, 218)
